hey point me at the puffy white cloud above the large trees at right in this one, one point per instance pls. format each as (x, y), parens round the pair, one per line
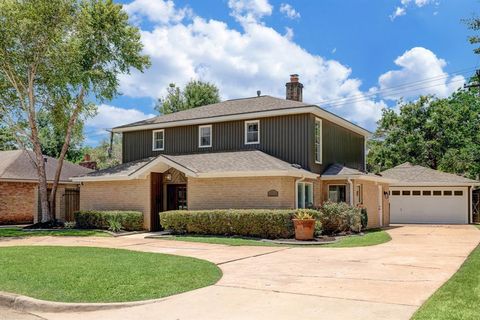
(421, 72)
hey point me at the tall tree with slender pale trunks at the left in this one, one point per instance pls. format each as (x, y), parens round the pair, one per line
(55, 56)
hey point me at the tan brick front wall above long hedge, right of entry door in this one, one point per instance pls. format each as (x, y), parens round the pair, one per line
(240, 193)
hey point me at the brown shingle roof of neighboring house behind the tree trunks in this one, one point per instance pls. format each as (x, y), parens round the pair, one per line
(17, 165)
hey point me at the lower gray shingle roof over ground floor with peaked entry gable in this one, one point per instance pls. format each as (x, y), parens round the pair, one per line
(208, 163)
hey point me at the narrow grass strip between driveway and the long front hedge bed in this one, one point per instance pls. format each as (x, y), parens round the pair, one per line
(370, 238)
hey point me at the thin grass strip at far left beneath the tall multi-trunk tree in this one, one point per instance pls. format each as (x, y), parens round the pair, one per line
(18, 232)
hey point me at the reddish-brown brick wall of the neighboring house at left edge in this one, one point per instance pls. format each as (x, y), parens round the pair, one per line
(17, 202)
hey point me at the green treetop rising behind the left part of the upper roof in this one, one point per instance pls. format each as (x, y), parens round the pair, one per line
(195, 94)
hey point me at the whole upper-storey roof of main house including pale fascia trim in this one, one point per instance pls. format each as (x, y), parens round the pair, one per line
(238, 109)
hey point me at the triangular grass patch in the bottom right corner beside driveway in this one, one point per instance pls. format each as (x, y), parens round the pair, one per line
(459, 297)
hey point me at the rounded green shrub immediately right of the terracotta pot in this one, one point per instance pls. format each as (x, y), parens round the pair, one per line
(339, 217)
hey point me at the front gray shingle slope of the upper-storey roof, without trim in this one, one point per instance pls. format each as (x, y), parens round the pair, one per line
(225, 108)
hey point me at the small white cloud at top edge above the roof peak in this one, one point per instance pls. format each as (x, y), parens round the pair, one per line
(249, 11)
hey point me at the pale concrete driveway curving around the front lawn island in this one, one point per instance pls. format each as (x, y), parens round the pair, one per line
(388, 281)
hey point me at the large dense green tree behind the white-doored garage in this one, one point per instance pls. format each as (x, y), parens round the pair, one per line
(438, 133)
